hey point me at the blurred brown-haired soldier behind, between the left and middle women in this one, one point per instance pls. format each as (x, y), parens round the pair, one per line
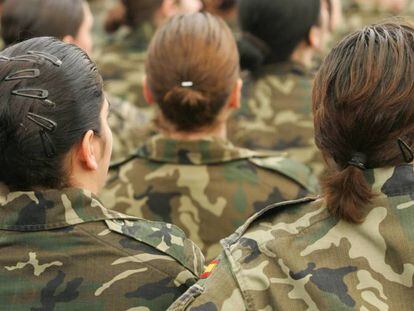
(121, 60)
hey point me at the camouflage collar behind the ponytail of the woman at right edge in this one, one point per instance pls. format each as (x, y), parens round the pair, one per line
(392, 181)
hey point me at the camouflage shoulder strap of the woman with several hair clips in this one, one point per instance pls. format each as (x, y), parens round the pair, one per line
(164, 237)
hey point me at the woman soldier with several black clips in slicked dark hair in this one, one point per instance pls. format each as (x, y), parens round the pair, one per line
(61, 248)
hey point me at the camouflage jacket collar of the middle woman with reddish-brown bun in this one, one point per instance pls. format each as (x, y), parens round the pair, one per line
(200, 152)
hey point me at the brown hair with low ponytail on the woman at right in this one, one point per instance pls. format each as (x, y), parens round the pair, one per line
(363, 102)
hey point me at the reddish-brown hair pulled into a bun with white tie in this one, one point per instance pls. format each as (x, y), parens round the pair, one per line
(197, 48)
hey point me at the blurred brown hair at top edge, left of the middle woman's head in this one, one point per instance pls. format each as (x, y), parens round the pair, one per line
(131, 13)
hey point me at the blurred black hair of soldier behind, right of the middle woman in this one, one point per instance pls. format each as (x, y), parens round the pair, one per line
(273, 29)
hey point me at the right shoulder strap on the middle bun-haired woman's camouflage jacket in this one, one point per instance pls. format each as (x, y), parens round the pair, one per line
(292, 169)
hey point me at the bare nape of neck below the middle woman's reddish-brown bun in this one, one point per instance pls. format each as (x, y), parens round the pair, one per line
(218, 131)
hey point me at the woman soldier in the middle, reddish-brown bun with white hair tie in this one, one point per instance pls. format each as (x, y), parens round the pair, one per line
(191, 175)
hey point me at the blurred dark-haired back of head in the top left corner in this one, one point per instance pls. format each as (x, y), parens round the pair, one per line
(22, 20)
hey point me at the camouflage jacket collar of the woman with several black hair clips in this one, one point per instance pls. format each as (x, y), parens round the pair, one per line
(51, 209)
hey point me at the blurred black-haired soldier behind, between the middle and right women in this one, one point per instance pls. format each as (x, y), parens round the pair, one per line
(278, 44)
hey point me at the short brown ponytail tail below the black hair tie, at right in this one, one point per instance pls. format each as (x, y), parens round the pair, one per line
(346, 193)
